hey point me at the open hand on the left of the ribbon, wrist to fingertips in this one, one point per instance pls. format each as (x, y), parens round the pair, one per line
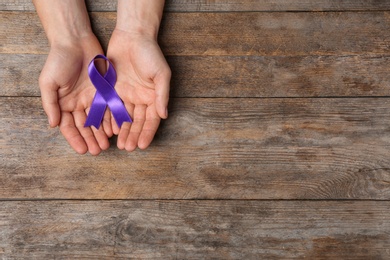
(67, 94)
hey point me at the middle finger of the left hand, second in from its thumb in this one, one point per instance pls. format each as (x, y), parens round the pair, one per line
(86, 132)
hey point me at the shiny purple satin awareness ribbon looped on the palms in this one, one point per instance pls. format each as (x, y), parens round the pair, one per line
(105, 96)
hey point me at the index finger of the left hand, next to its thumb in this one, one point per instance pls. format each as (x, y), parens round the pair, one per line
(71, 133)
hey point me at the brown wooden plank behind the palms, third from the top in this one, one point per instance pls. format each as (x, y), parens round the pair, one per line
(224, 76)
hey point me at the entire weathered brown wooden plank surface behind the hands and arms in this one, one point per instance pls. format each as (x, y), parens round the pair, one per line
(277, 144)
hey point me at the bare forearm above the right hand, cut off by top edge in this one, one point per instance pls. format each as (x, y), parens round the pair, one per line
(140, 17)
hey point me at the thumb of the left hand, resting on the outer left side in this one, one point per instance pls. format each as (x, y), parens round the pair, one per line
(50, 100)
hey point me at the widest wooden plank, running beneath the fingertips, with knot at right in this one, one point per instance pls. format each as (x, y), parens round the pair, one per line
(210, 149)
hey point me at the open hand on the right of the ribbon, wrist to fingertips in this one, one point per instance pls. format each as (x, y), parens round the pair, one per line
(143, 84)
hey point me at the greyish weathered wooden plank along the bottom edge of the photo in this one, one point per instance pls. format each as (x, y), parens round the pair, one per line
(195, 229)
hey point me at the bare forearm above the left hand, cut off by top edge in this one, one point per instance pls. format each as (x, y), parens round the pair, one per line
(63, 20)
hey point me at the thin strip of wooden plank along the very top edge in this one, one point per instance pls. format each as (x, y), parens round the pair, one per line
(228, 5)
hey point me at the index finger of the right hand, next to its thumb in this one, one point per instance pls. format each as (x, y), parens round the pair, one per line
(150, 128)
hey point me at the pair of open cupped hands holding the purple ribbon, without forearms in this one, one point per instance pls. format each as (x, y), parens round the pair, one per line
(143, 78)
